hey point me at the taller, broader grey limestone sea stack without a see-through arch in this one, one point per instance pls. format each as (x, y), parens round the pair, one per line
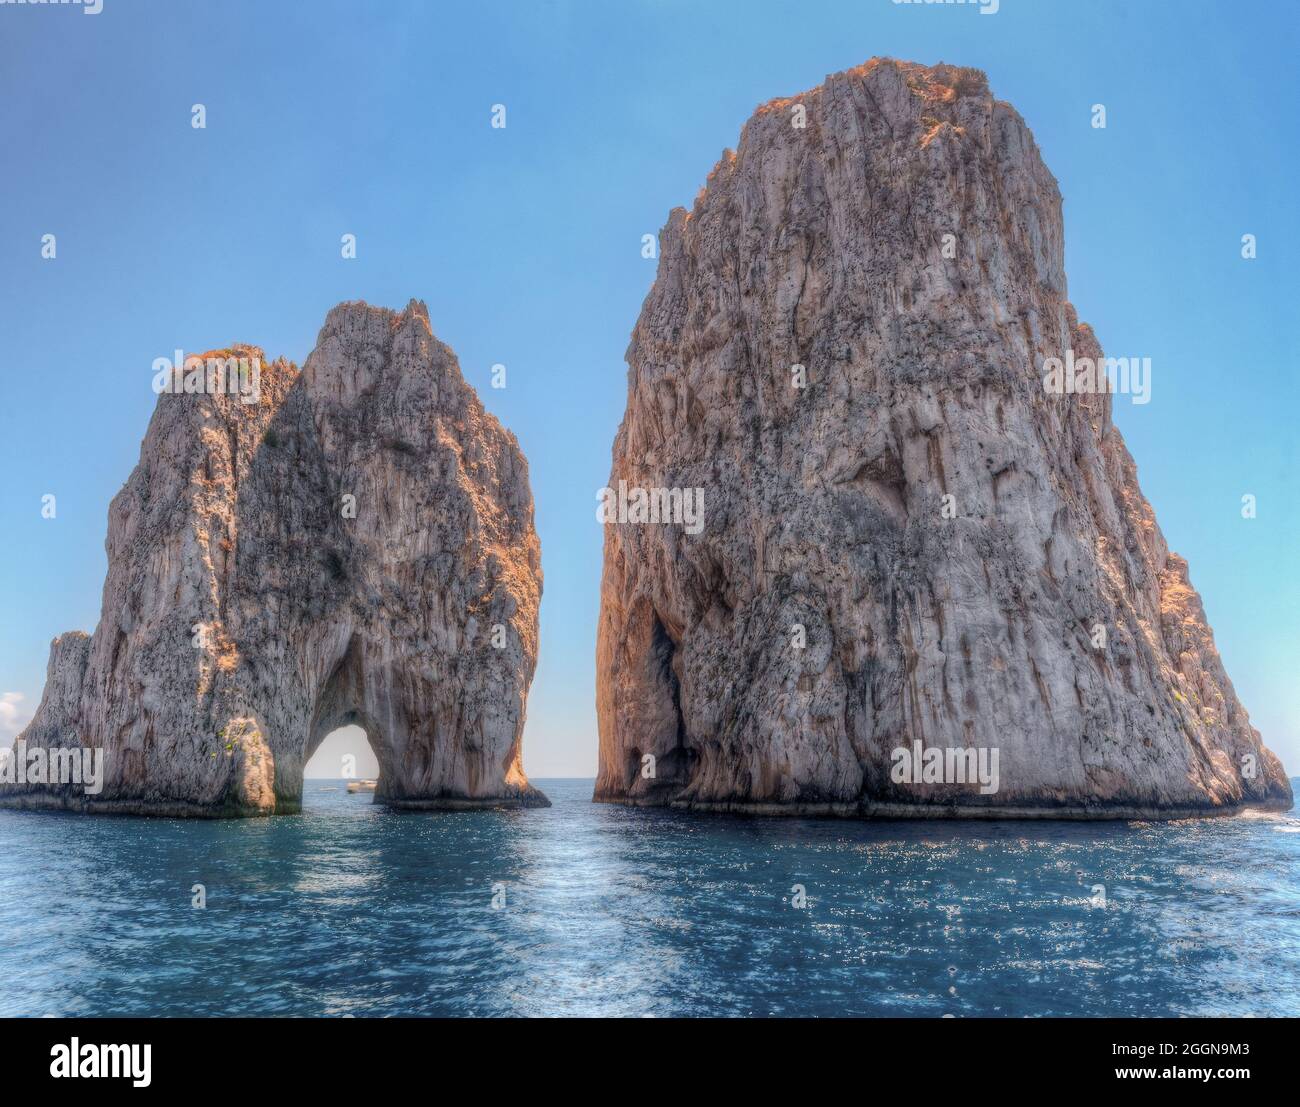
(920, 546)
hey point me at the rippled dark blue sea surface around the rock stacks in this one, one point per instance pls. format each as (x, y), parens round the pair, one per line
(353, 910)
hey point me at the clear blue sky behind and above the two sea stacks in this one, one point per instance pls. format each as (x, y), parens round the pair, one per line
(327, 119)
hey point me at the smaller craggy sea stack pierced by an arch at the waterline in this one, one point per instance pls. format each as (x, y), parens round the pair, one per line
(356, 548)
